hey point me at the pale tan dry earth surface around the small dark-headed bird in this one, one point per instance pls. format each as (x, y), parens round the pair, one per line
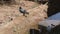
(13, 22)
